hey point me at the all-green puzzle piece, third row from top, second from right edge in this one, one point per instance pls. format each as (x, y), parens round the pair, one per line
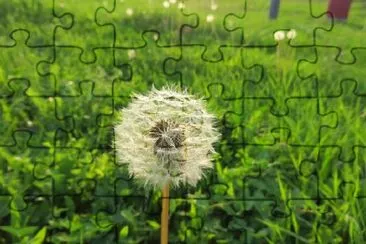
(262, 126)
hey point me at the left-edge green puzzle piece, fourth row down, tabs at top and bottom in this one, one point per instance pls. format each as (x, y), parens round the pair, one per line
(18, 160)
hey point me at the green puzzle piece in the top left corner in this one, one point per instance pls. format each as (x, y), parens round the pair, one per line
(39, 22)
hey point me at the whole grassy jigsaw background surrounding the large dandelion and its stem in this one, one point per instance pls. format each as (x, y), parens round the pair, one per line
(286, 81)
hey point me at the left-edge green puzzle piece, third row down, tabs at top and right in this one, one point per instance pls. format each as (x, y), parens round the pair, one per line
(34, 113)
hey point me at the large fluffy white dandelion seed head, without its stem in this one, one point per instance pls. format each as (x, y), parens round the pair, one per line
(165, 137)
